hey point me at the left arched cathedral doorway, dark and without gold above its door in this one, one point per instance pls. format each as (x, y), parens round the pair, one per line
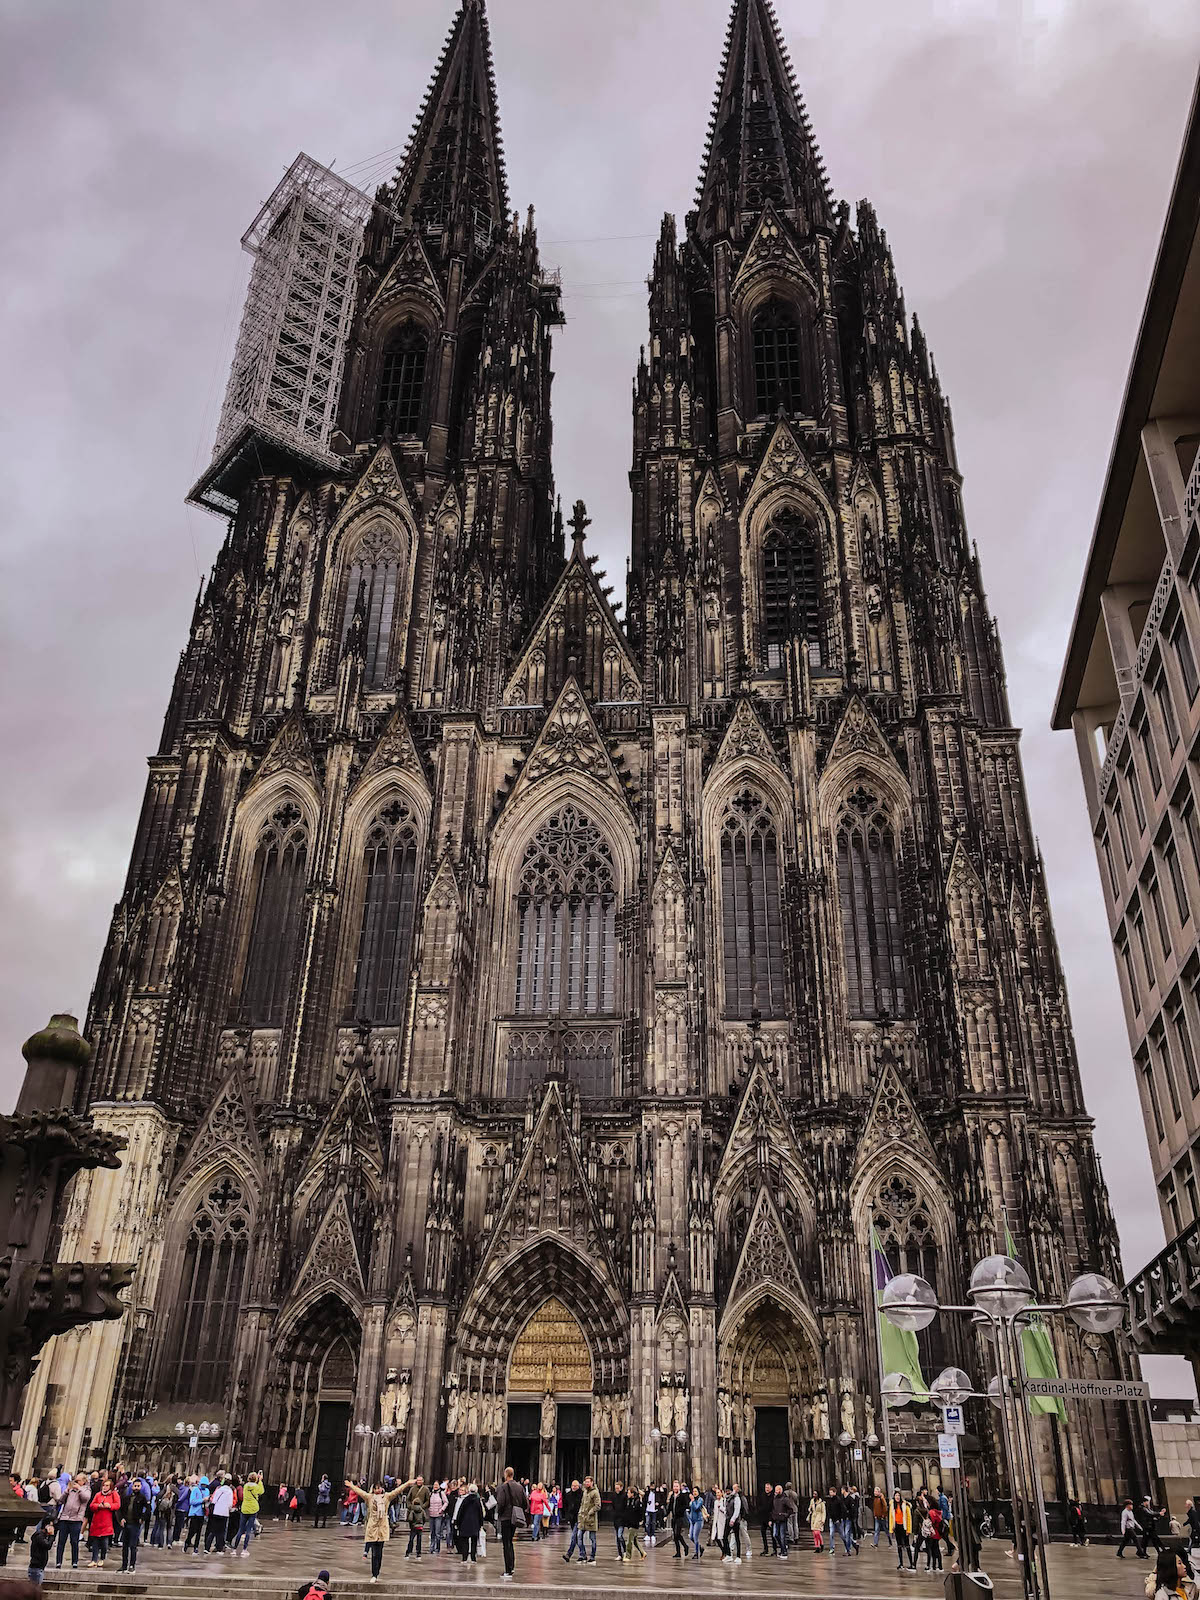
(316, 1378)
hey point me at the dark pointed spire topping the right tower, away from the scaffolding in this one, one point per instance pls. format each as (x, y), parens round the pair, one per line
(761, 146)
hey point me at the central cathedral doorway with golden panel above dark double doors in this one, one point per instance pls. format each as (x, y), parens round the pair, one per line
(550, 1398)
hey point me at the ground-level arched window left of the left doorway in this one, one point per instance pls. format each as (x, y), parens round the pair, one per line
(210, 1294)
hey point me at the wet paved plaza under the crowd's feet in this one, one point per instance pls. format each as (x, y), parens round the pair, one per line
(284, 1556)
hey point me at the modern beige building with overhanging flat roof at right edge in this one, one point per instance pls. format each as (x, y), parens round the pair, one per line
(1132, 692)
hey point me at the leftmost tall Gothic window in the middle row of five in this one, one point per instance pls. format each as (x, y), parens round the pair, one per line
(281, 863)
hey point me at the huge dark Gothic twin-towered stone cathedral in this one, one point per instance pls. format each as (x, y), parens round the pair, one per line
(519, 1015)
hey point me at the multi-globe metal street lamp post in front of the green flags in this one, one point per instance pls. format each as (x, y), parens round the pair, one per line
(1002, 1303)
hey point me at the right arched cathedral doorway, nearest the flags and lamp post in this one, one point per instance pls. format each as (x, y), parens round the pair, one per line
(772, 1410)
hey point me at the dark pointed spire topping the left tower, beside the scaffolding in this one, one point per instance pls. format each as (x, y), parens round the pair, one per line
(454, 166)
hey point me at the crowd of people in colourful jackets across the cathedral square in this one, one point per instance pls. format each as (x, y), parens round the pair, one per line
(222, 1516)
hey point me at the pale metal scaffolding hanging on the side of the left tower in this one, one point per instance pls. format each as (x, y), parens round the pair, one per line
(286, 382)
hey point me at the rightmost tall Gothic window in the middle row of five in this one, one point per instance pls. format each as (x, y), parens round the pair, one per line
(873, 927)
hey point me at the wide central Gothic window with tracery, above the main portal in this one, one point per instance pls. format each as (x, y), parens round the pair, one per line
(567, 921)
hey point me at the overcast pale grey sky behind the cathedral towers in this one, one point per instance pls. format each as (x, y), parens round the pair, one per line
(1020, 158)
